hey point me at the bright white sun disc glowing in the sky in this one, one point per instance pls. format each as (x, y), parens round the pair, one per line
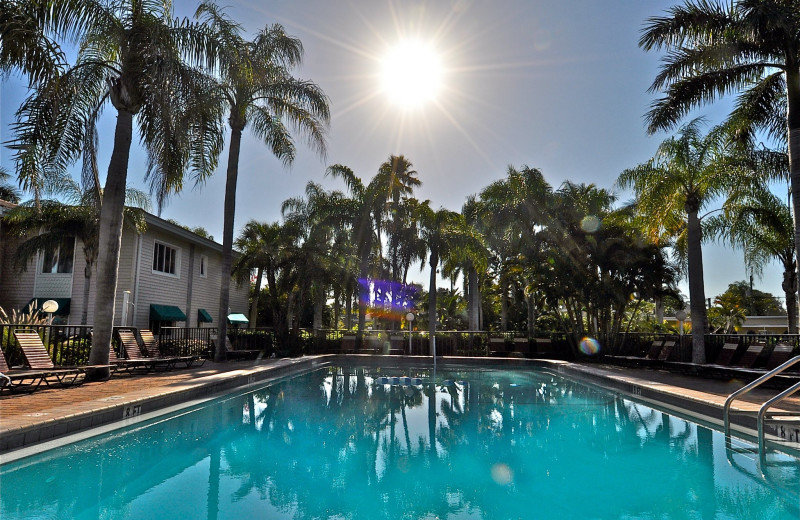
(411, 74)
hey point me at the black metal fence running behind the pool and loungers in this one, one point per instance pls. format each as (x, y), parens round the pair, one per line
(70, 344)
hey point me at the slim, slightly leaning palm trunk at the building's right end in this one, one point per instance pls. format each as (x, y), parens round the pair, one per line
(227, 241)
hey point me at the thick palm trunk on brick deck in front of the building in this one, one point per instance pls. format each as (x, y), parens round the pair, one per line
(110, 242)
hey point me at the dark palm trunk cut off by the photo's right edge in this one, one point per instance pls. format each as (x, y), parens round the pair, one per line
(793, 122)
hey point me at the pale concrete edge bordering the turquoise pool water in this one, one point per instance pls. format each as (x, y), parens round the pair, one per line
(106, 414)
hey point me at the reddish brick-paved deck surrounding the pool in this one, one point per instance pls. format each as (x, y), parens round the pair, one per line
(50, 413)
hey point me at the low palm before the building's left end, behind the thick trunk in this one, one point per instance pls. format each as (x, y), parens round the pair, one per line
(49, 222)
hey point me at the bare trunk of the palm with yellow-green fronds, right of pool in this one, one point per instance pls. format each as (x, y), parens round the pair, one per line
(697, 294)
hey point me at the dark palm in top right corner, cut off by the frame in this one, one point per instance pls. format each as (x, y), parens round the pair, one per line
(714, 48)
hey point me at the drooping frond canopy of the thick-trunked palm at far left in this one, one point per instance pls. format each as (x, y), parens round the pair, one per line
(134, 56)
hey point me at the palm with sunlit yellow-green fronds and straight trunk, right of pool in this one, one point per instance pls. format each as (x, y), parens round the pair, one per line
(686, 173)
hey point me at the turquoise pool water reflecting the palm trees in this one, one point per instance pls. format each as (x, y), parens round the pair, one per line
(351, 443)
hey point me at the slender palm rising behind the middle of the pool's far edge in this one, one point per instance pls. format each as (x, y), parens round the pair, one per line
(445, 233)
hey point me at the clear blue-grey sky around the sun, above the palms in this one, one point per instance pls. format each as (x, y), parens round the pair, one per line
(559, 85)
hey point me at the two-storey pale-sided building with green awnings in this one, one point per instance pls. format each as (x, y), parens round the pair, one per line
(168, 276)
